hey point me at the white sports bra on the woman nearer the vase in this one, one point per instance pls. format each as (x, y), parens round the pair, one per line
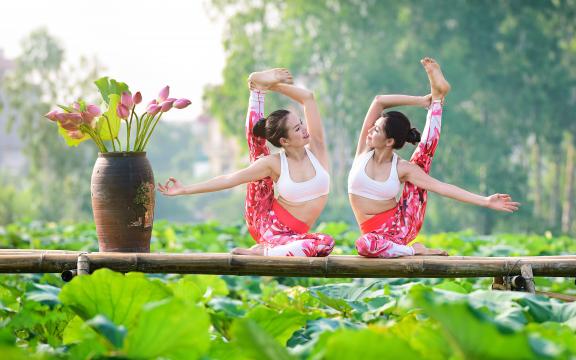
(311, 189)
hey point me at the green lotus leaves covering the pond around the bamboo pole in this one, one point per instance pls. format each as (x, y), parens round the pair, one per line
(108, 314)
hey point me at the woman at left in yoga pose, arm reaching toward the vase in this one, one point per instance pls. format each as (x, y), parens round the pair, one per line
(279, 226)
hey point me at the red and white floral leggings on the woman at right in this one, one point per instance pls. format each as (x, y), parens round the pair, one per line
(386, 234)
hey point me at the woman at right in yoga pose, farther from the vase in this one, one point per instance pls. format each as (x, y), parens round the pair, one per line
(377, 173)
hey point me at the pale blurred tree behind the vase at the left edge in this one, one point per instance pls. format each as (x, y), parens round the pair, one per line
(57, 175)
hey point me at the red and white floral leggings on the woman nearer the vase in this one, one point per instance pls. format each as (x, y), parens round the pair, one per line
(270, 225)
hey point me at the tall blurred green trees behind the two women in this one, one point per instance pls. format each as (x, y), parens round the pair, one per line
(511, 66)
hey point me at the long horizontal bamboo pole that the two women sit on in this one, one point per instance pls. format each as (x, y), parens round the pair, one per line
(331, 266)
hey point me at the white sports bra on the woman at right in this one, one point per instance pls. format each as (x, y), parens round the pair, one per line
(359, 183)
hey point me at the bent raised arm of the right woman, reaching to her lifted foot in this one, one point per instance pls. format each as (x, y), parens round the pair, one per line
(379, 104)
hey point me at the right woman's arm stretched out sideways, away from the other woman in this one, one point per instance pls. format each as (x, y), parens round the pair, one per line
(499, 202)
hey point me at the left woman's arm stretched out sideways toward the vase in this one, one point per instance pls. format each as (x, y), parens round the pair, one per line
(258, 170)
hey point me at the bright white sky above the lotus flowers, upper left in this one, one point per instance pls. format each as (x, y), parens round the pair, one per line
(147, 44)
